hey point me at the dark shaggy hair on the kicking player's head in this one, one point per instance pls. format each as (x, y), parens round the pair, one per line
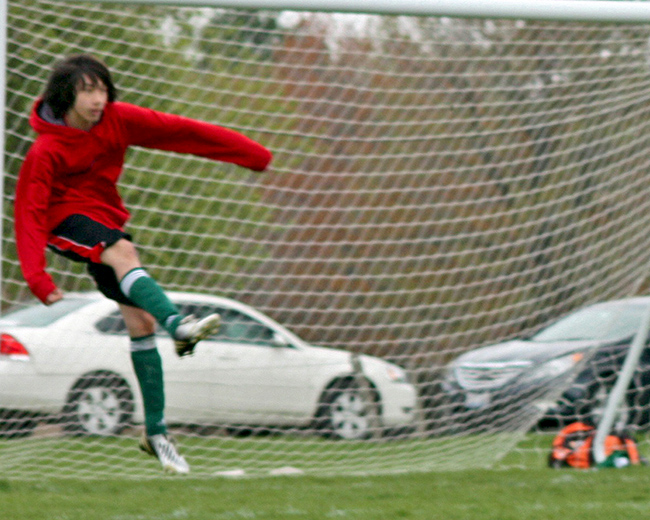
(61, 90)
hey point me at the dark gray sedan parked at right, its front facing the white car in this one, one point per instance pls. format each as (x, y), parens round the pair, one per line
(560, 374)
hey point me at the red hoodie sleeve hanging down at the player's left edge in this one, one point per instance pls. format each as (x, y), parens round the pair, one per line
(31, 203)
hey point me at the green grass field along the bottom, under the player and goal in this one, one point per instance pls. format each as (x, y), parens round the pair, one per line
(531, 491)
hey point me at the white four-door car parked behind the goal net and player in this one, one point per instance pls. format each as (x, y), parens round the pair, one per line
(70, 363)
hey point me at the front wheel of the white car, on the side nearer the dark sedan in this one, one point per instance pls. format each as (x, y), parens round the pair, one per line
(349, 410)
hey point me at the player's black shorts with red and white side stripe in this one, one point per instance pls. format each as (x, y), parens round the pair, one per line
(82, 239)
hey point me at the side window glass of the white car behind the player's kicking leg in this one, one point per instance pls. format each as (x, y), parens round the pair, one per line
(236, 327)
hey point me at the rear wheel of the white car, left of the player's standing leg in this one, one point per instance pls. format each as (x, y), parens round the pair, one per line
(100, 403)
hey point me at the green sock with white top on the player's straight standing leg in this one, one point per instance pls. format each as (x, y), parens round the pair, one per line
(147, 365)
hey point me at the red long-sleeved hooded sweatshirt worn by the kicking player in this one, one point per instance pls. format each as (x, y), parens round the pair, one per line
(70, 171)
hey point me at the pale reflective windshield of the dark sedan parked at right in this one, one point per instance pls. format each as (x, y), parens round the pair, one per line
(604, 322)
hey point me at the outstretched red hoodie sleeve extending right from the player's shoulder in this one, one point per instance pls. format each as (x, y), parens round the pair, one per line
(152, 129)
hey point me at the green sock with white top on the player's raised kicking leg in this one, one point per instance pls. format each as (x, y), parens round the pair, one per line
(143, 290)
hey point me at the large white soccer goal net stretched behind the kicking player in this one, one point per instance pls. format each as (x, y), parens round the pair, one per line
(442, 190)
